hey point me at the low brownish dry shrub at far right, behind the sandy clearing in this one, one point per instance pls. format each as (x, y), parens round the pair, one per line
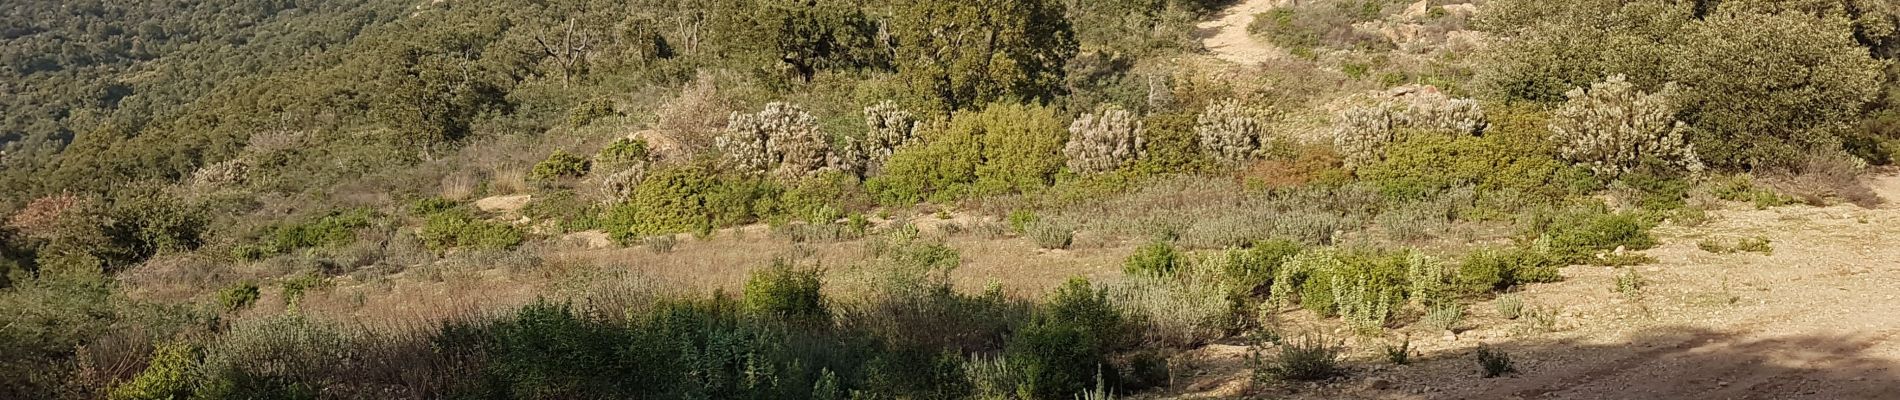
(1825, 175)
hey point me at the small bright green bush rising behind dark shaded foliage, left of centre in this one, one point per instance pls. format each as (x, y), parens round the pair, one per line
(786, 293)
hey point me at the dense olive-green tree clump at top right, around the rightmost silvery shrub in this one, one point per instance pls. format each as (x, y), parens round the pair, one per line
(1745, 115)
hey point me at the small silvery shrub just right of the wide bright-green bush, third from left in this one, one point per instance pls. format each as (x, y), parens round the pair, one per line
(1105, 141)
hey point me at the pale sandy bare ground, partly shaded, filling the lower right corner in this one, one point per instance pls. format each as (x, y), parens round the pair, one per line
(1815, 319)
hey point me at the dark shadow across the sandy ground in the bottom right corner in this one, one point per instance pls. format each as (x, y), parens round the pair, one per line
(1681, 363)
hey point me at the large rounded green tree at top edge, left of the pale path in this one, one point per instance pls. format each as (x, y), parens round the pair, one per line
(968, 54)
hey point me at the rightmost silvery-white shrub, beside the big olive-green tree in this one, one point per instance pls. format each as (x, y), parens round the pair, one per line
(1612, 128)
